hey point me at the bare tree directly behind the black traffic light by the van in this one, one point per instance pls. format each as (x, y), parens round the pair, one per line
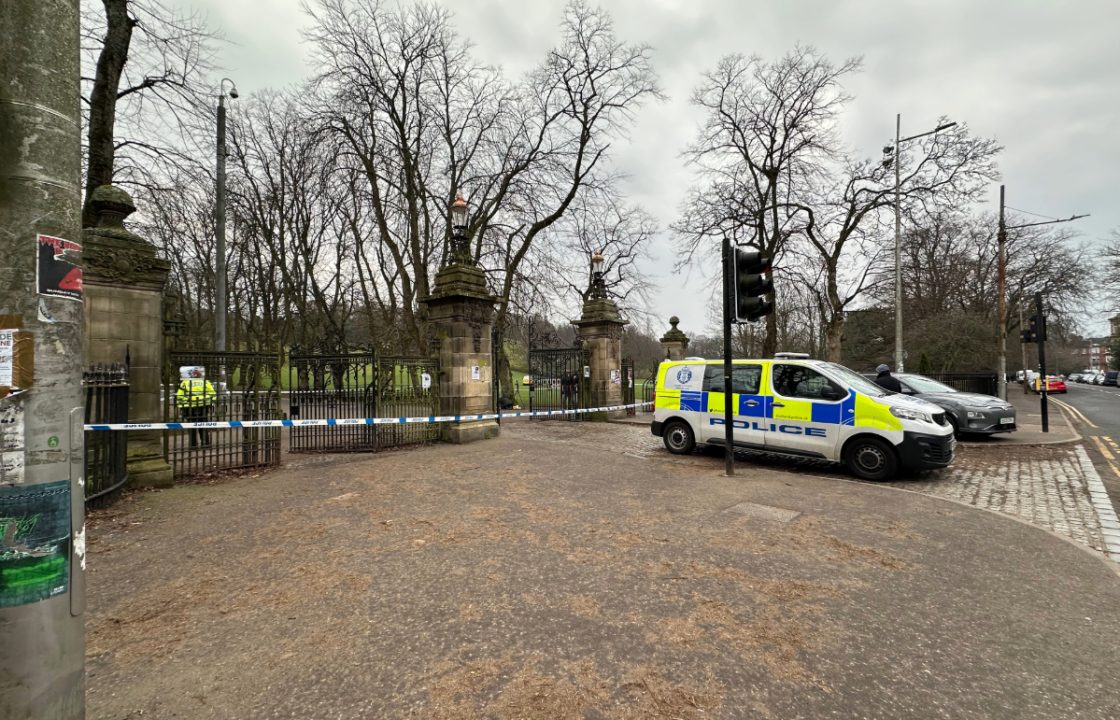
(768, 129)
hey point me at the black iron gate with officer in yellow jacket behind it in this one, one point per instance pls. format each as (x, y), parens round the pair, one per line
(241, 387)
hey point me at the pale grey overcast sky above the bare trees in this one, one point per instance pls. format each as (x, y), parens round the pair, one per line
(1041, 77)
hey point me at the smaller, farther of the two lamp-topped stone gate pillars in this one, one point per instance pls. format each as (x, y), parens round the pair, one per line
(601, 332)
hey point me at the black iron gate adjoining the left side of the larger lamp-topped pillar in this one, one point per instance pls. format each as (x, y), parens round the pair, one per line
(361, 385)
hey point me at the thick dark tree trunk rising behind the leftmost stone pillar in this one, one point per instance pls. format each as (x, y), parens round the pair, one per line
(115, 54)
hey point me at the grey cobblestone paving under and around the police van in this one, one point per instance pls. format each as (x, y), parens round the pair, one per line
(1046, 487)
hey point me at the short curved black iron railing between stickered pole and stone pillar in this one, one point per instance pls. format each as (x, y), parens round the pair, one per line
(107, 400)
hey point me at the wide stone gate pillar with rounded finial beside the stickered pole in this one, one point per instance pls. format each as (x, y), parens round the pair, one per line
(124, 285)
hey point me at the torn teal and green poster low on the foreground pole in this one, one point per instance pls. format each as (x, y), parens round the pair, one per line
(35, 539)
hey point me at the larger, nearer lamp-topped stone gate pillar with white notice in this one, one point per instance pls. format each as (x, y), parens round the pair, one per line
(462, 314)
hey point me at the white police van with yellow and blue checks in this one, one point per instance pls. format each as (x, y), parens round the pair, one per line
(801, 407)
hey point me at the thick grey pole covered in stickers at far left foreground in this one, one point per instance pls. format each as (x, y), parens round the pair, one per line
(42, 460)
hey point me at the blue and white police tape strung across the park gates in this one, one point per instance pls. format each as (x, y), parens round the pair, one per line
(219, 425)
